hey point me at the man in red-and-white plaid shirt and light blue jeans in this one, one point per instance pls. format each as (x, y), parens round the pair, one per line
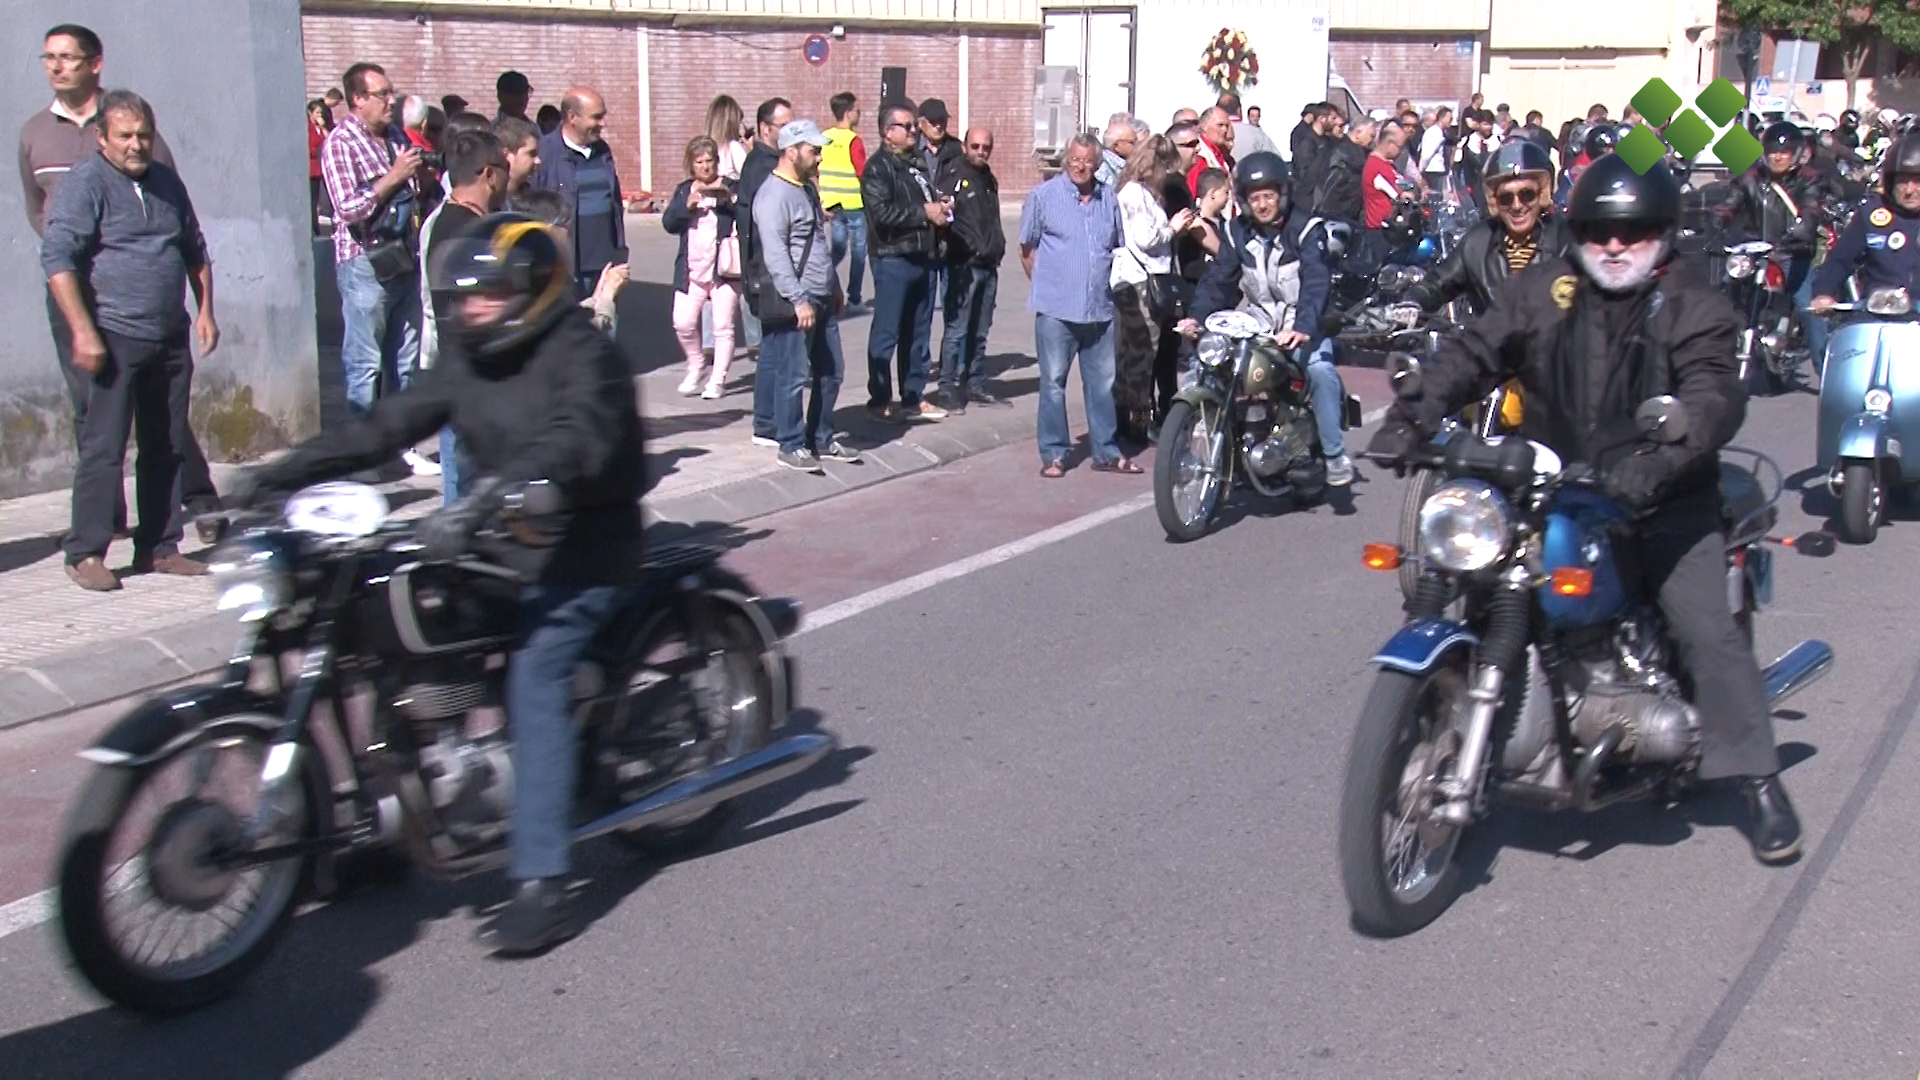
(370, 174)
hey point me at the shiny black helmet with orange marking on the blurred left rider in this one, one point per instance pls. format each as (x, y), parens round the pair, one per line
(512, 257)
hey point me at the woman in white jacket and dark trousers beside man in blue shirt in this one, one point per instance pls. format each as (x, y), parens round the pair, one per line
(1149, 297)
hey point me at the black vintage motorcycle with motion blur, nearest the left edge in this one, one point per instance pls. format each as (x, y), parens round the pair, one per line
(214, 810)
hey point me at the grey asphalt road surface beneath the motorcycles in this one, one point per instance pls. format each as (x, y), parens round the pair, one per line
(1082, 825)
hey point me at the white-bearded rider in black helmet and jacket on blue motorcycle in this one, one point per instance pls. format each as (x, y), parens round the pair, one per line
(1591, 337)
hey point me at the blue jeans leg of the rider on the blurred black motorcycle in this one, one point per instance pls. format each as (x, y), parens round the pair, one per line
(554, 631)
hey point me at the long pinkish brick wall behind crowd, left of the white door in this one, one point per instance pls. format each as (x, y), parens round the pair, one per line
(688, 68)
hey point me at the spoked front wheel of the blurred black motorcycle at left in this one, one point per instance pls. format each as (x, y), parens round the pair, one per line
(153, 914)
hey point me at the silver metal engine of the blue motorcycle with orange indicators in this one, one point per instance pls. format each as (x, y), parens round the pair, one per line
(1629, 687)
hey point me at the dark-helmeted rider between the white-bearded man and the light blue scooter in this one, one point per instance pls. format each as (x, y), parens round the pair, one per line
(1779, 201)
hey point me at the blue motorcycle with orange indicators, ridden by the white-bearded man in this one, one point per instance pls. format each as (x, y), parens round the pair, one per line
(1554, 689)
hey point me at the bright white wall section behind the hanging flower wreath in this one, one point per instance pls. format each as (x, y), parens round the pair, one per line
(1287, 36)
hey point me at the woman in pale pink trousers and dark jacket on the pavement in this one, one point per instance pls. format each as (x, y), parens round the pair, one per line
(708, 268)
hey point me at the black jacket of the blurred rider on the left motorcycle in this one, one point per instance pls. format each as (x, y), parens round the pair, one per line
(564, 414)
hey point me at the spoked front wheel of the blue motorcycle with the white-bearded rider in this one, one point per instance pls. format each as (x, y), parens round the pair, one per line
(1399, 868)
